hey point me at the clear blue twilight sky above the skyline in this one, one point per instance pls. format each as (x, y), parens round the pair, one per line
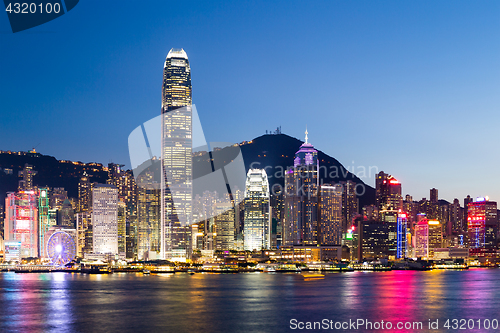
(411, 87)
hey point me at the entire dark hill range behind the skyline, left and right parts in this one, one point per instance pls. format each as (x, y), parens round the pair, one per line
(276, 152)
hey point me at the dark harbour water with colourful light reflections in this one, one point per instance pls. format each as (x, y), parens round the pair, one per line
(256, 302)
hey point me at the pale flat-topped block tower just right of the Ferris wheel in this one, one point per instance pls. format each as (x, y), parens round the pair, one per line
(105, 219)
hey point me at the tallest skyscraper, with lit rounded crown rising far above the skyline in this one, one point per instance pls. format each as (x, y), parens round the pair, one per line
(176, 186)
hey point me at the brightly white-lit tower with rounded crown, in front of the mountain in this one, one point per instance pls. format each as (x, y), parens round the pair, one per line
(257, 229)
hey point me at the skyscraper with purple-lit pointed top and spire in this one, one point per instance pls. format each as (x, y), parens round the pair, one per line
(301, 198)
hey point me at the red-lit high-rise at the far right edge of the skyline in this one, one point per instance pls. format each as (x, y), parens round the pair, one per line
(482, 223)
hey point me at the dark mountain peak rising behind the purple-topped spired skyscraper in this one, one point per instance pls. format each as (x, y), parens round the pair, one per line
(276, 152)
